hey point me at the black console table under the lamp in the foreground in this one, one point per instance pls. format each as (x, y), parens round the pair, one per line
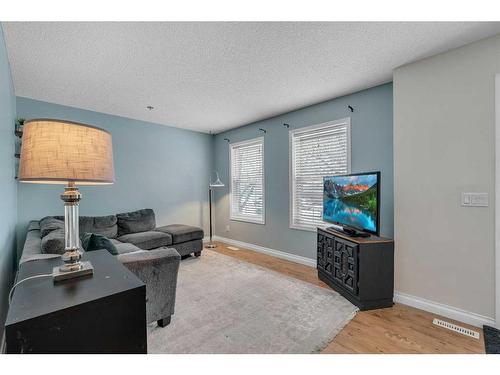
(103, 313)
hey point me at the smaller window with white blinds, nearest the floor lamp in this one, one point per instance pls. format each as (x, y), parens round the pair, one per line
(247, 181)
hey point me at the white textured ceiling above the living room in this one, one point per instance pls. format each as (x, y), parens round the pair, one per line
(216, 76)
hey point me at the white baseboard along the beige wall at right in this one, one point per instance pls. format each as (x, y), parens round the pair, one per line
(443, 310)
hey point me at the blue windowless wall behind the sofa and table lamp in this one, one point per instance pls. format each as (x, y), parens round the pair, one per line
(156, 166)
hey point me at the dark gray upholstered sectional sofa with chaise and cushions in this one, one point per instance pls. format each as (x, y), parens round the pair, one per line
(151, 253)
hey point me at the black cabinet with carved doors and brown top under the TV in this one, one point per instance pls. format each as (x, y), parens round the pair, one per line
(359, 268)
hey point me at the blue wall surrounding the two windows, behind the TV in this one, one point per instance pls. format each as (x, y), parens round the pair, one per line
(371, 133)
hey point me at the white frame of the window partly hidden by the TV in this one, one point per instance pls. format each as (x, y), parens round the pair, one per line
(291, 169)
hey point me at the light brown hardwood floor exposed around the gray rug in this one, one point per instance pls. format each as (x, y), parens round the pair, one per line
(400, 329)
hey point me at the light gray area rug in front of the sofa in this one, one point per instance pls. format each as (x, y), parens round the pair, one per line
(225, 305)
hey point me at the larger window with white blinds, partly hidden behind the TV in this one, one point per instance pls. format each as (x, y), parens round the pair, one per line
(315, 151)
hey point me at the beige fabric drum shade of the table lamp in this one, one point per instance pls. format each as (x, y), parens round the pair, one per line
(56, 152)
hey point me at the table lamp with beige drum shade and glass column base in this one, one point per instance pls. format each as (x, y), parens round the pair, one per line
(64, 152)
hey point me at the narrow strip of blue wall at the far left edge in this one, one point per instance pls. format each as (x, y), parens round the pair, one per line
(8, 189)
